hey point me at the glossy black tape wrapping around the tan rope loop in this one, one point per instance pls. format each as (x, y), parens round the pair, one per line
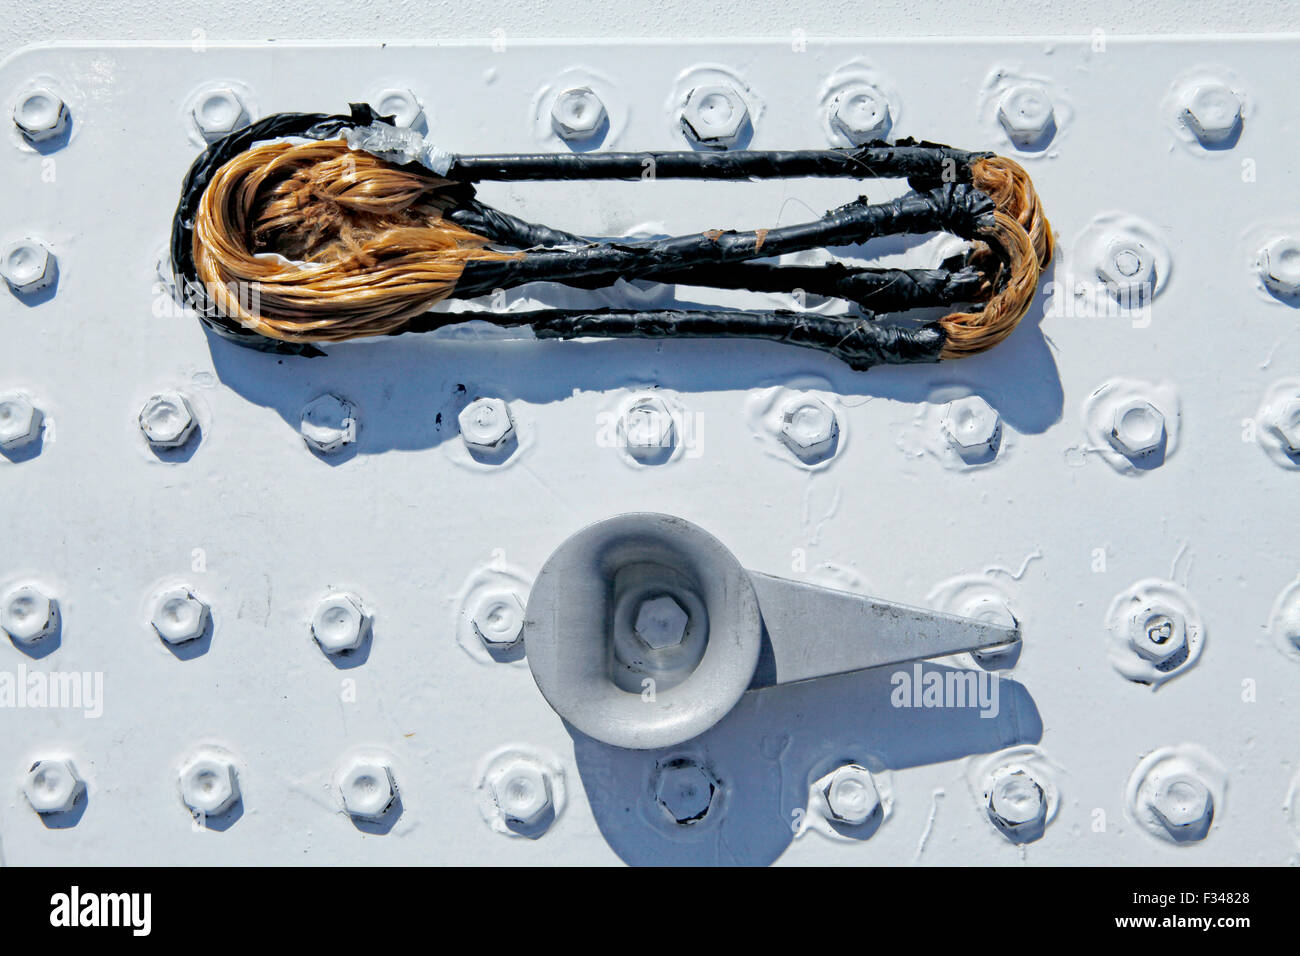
(717, 259)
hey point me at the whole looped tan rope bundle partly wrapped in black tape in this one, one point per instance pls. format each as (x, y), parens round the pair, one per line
(287, 237)
